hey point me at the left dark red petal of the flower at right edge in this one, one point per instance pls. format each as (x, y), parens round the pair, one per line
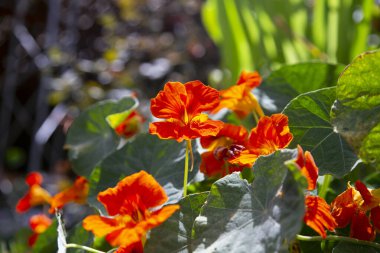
(343, 208)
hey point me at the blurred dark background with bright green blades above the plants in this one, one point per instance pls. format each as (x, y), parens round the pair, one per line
(57, 57)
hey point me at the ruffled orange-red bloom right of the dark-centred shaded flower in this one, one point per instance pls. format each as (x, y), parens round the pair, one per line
(270, 134)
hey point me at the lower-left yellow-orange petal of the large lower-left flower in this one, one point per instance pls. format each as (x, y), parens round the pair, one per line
(101, 226)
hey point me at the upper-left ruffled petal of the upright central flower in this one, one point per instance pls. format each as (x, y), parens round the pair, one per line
(170, 102)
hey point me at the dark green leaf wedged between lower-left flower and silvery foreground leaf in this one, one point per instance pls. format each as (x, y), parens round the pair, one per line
(176, 233)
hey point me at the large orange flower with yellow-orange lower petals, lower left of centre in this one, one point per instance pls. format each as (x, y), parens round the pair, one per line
(130, 207)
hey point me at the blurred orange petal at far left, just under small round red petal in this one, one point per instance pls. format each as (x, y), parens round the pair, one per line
(34, 197)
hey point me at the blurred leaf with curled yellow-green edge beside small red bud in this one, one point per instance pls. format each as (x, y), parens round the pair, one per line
(90, 138)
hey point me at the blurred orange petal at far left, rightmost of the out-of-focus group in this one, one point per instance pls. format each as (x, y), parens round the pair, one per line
(76, 193)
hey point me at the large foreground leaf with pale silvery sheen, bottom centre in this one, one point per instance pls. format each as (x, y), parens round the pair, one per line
(239, 217)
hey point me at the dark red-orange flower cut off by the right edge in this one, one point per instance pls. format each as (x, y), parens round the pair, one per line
(352, 206)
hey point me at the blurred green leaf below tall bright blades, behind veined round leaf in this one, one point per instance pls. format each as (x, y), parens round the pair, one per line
(290, 81)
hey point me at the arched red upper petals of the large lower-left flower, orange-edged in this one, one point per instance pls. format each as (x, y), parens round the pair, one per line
(140, 184)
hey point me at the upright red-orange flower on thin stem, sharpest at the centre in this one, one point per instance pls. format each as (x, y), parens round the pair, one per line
(181, 106)
